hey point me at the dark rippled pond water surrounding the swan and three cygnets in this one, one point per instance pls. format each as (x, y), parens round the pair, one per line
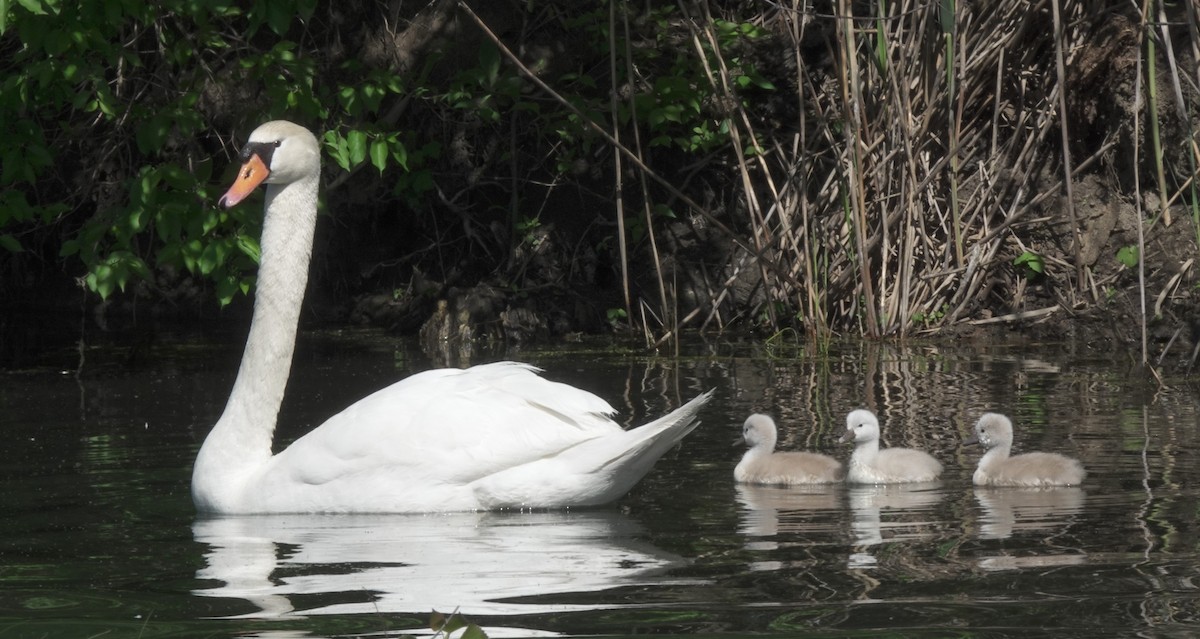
(99, 538)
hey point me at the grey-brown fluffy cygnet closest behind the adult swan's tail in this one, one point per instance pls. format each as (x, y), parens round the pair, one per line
(763, 465)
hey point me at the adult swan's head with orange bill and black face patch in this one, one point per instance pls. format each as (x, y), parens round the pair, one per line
(277, 153)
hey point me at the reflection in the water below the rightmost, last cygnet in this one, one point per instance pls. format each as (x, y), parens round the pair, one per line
(1009, 511)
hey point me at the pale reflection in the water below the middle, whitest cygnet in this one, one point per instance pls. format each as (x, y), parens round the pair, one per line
(868, 504)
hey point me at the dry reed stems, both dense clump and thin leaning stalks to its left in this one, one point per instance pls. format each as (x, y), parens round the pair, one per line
(926, 157)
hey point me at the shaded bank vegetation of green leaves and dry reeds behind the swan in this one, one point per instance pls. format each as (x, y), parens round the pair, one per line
(511, 172)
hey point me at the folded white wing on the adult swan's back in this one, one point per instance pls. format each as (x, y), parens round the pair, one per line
(449, 426)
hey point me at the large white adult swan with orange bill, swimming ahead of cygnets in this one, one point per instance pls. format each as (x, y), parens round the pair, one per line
(487, 438)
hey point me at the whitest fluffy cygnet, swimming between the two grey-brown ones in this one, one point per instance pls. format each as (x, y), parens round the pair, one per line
(871, 465)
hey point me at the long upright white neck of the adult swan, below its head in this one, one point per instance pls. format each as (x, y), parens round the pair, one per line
(241, 443)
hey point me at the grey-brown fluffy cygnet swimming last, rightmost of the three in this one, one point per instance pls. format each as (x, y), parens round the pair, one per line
(994, 432)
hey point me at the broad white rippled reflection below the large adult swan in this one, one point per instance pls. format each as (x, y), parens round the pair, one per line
(482, 564)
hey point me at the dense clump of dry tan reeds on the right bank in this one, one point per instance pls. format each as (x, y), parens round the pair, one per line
(931, 182)
